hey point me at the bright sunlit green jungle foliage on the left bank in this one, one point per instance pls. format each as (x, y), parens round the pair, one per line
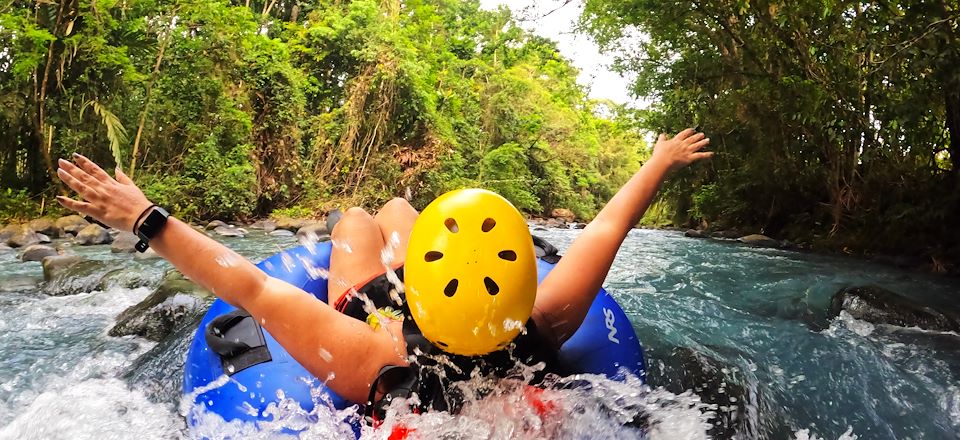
(234, 109)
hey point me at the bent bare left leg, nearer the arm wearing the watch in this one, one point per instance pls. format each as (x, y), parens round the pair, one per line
(355, 257)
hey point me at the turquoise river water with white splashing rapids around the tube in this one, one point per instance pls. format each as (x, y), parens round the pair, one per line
(720, 322)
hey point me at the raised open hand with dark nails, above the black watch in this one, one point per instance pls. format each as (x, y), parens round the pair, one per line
(114, 202)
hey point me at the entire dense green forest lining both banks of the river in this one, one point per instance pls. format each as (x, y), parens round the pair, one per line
(836, 123)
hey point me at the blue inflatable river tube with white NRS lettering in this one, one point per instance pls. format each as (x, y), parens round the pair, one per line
(605, 344)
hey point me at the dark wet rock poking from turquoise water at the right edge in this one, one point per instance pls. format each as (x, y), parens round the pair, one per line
(881, 306)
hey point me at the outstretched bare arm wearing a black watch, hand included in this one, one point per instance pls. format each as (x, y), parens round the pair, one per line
(323, 340)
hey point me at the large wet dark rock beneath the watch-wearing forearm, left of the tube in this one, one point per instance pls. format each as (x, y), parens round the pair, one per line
(175, 301)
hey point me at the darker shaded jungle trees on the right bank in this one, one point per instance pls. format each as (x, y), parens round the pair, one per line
(839, 119)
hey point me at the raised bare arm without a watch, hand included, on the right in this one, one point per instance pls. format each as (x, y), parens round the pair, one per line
(566, 294)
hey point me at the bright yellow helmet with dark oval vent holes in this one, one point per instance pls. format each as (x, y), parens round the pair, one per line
(471, 272)
